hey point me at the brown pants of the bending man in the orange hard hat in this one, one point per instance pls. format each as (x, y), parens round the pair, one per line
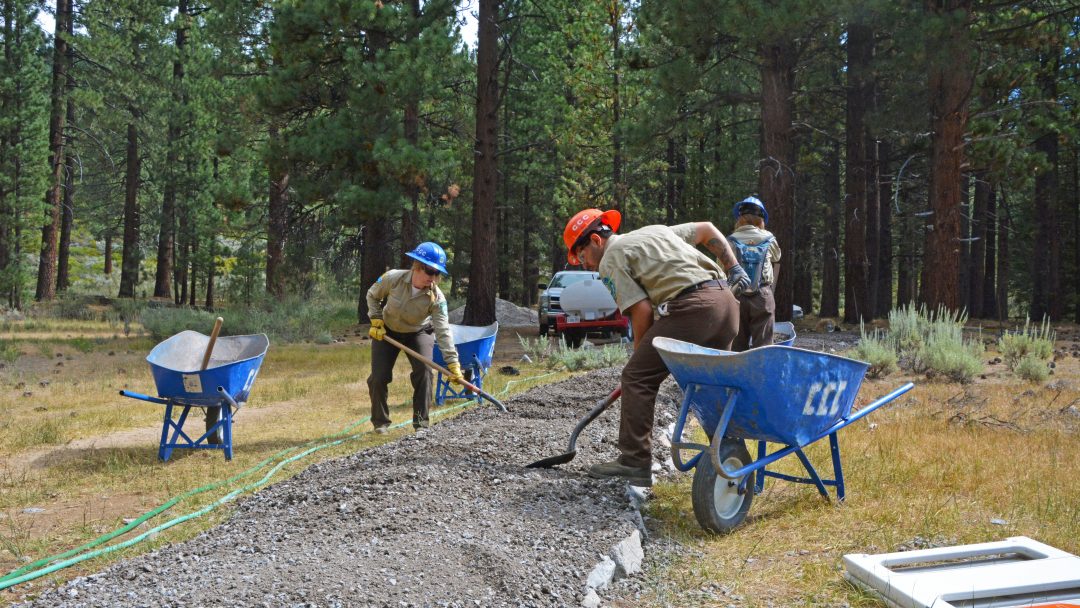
(709, 318)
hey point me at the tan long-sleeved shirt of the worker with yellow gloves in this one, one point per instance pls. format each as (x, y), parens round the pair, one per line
(391, 300)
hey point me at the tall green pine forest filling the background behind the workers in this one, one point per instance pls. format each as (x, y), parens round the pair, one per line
(246, 153)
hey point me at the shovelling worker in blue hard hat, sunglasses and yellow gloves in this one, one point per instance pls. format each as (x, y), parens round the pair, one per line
(409, 306)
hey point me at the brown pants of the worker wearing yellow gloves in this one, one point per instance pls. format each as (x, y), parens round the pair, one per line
(384, 357)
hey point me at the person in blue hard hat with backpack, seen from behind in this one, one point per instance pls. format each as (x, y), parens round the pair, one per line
(760, 255)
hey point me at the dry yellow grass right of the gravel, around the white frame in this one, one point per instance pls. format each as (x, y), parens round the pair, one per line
(936, 467)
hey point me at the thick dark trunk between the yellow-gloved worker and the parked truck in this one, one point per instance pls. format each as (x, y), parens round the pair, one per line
(480, 303)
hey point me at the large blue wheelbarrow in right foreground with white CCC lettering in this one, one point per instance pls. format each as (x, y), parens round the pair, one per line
(772, 395)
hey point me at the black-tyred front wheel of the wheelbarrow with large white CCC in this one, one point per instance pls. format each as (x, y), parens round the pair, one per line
(718, 503)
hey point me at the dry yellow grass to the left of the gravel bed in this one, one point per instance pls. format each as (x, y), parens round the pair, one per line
(88, 456)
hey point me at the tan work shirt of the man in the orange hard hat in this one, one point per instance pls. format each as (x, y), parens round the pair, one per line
(655, 263)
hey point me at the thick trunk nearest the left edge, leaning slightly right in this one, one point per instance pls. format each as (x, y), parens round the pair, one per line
(47, 261)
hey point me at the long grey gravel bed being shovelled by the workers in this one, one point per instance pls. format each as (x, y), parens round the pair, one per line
(450, 518)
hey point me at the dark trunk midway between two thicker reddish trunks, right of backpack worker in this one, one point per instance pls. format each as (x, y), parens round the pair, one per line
(857, 300)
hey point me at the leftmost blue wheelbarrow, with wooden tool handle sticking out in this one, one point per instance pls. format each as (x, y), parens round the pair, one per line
(220, 383)
